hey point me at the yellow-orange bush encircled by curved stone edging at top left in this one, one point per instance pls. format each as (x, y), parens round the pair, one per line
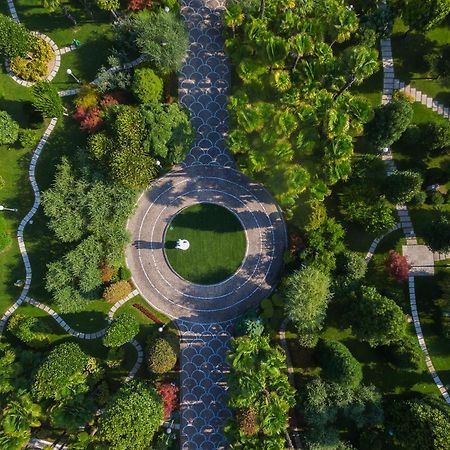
(35, 66)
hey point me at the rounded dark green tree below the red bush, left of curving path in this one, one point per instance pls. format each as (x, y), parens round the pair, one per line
(376, 319)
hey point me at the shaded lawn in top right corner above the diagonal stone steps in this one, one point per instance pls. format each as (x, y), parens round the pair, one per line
(409, 58)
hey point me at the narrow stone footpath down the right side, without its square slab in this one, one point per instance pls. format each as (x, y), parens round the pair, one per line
(406, 224)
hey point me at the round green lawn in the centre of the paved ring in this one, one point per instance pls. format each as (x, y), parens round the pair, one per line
(217, 243)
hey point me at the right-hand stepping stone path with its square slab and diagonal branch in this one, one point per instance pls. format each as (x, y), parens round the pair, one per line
(420, 254)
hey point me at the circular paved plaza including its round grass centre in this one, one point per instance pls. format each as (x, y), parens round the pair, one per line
(245, 283)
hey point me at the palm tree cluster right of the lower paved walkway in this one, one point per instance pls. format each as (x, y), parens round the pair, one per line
(258, 386)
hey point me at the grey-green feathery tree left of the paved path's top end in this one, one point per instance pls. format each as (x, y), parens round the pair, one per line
(162, 37)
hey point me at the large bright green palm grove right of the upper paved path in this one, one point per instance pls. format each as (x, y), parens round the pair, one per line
(295, 107)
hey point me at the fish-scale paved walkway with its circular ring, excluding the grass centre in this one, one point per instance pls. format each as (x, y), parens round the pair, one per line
(204, 314)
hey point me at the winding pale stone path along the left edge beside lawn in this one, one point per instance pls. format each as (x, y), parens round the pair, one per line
(25, 221)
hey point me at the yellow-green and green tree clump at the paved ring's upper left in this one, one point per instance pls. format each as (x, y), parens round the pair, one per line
(136, 137)
